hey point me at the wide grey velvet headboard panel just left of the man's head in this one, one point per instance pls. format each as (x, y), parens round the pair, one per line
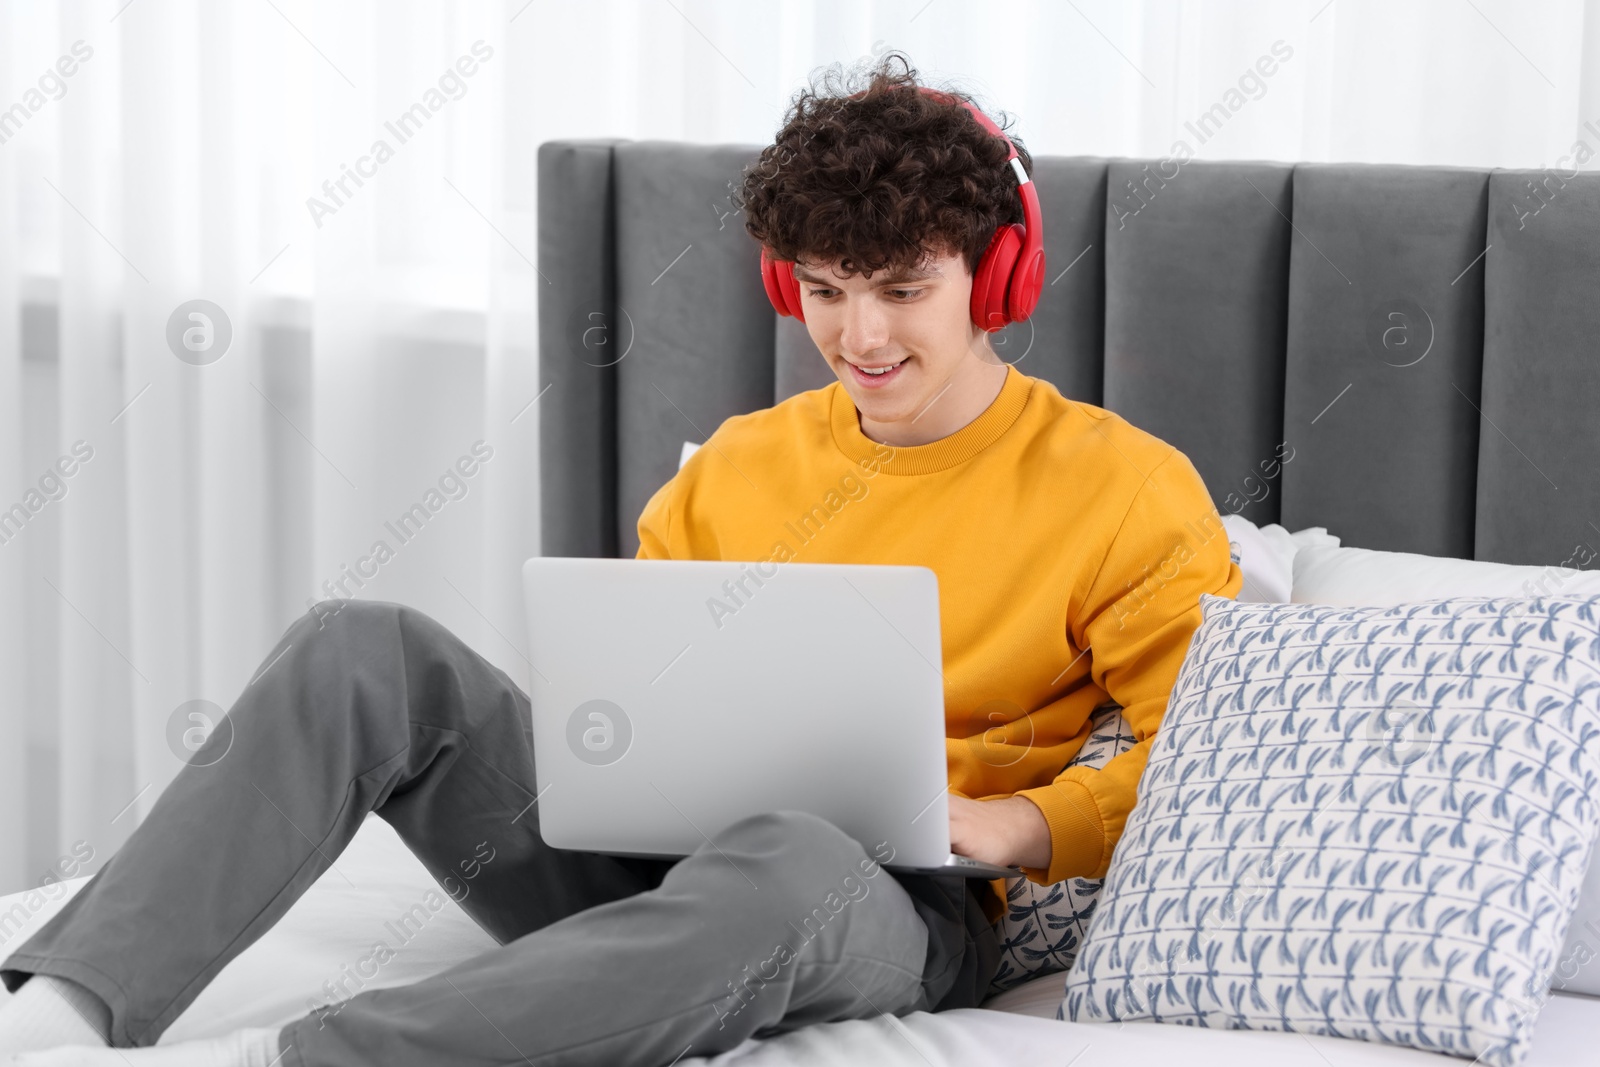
(690, 287)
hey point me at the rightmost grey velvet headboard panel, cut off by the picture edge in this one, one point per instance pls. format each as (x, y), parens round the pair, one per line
(1540, 442)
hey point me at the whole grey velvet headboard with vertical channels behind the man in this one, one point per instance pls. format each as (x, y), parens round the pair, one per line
(1438, 398)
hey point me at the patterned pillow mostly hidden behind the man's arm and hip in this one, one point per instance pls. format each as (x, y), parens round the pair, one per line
(1044, 925)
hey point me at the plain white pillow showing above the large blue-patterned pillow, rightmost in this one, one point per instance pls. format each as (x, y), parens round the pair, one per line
(1356, 578)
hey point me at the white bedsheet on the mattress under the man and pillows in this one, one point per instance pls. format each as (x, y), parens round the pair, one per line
(377, 881)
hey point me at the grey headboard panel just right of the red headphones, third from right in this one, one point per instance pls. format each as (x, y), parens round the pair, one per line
(1196, 295)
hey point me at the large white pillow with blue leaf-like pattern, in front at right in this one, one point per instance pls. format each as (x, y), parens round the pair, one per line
(1369, 823)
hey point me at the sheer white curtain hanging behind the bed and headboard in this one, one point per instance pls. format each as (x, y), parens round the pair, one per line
(382, 305)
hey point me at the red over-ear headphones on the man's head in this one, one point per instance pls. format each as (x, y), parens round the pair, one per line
(1010, 274)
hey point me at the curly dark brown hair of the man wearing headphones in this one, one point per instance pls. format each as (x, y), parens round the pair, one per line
(881, 177)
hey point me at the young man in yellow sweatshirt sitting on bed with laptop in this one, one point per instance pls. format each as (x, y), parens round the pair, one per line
(1071, 551)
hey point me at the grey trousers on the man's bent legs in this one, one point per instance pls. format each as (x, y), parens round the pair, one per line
(601, 961)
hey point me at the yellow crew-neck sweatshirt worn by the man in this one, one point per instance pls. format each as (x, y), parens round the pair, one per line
(1071, 551)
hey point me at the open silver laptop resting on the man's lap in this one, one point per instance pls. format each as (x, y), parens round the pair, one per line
(673, 698)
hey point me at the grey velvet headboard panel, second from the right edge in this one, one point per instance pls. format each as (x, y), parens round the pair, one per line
(1386, 326)
